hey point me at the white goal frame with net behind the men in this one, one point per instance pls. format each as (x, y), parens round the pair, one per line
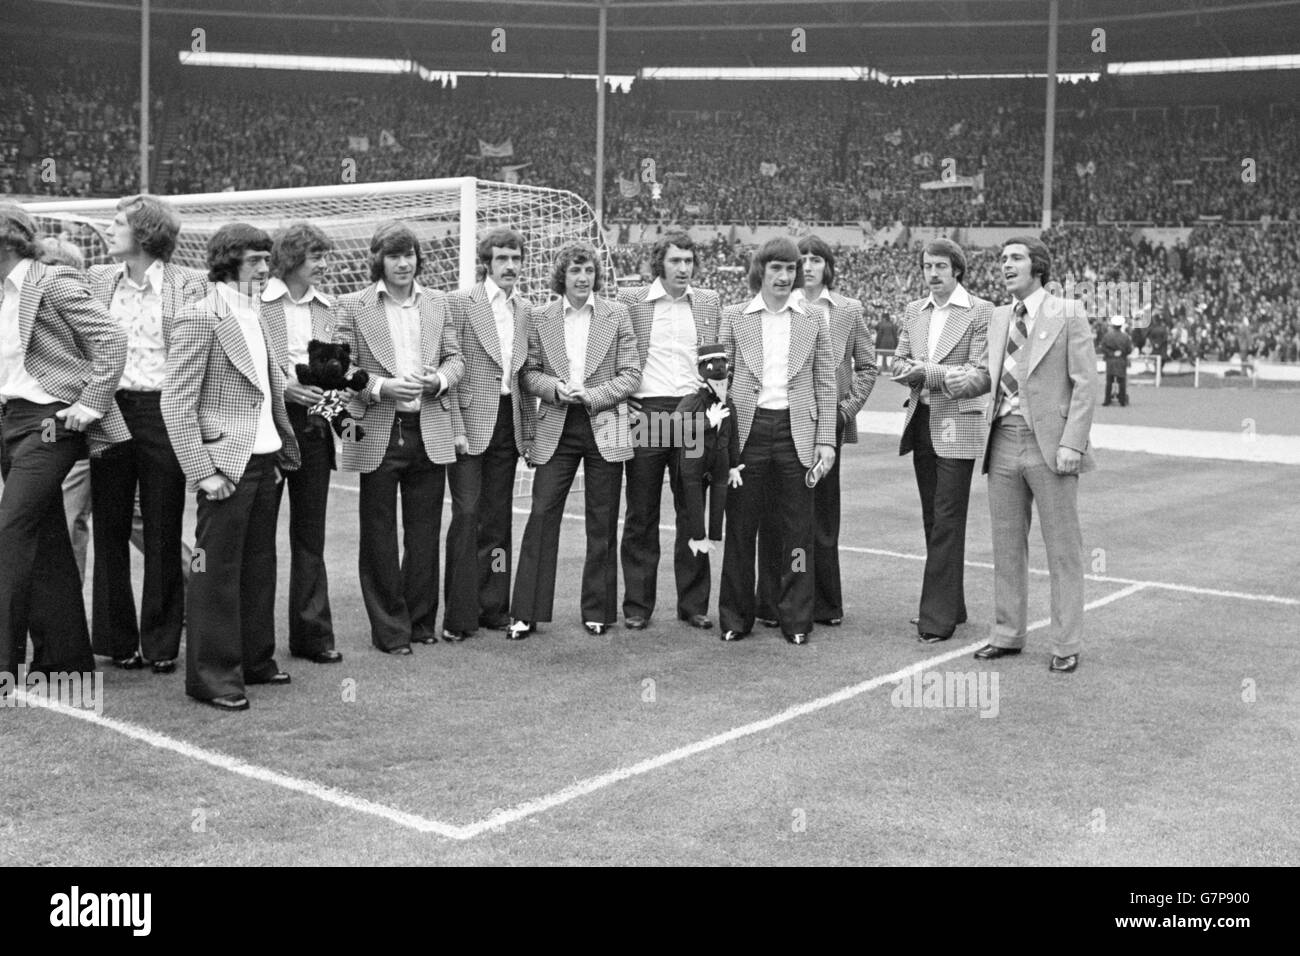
(447, 215)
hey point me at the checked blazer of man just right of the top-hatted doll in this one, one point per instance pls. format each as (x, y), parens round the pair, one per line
(812, 375)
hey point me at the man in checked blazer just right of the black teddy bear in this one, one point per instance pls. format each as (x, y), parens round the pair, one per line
(402, 335)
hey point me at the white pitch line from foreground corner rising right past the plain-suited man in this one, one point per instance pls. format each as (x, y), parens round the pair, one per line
(595, 784)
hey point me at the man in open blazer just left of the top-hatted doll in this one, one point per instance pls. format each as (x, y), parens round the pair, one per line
(670, 318)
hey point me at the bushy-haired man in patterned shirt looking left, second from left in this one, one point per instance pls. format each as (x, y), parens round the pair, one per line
(144, 293)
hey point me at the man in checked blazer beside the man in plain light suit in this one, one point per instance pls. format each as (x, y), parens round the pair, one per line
(946, 331)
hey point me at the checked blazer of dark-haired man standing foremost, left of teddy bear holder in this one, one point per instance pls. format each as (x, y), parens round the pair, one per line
(211, 399)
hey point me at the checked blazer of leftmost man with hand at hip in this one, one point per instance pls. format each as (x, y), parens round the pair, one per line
(73, 348)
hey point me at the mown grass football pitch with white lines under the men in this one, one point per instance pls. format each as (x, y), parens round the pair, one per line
(1173, 745)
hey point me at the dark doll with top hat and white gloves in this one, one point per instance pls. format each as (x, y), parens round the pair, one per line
(710, 452)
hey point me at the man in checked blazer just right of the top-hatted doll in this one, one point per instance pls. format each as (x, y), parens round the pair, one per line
(785, 391)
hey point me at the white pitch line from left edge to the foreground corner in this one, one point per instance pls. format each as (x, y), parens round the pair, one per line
(237, 767)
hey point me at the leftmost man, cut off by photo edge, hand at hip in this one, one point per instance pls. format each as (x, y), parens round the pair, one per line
(60, 360)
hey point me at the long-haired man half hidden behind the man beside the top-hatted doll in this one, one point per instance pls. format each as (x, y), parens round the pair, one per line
(856, 373)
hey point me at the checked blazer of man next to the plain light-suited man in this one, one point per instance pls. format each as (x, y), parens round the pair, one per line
(956, 425)
